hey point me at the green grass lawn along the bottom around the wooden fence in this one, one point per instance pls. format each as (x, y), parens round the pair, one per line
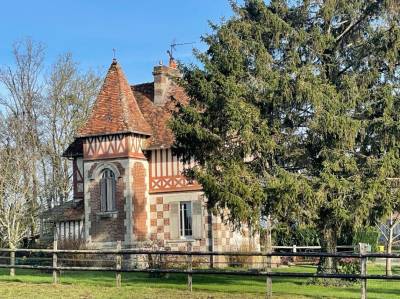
(36, 284)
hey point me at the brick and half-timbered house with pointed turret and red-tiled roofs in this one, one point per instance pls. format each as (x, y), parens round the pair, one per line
(127, 184)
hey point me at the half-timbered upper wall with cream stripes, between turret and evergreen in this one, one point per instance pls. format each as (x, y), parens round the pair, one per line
(166, 173)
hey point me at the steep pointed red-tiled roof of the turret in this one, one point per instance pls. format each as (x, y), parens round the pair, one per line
(115, 109)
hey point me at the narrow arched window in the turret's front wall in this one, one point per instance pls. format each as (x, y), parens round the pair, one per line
(107, 191)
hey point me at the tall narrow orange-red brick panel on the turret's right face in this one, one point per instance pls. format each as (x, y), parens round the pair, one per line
(139, 201)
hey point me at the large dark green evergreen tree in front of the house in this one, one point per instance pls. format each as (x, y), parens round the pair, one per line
(293, 113)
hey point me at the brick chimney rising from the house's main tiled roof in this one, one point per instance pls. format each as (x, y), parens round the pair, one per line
(163, 79)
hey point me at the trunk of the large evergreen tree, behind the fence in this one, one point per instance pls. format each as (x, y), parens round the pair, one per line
(328, 245)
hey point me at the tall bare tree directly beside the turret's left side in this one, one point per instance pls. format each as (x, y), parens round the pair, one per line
(69, 96)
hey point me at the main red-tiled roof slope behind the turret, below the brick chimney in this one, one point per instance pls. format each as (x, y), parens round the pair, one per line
(158, 116)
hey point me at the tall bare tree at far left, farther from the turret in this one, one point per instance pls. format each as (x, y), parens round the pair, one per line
(22, 83)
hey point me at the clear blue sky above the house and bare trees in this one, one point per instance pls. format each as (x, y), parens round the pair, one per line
(140, 31)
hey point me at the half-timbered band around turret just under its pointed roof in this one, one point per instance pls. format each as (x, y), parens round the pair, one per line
(113, 146)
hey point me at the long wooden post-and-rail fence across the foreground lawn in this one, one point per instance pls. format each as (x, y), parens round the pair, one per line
(266, 271)
